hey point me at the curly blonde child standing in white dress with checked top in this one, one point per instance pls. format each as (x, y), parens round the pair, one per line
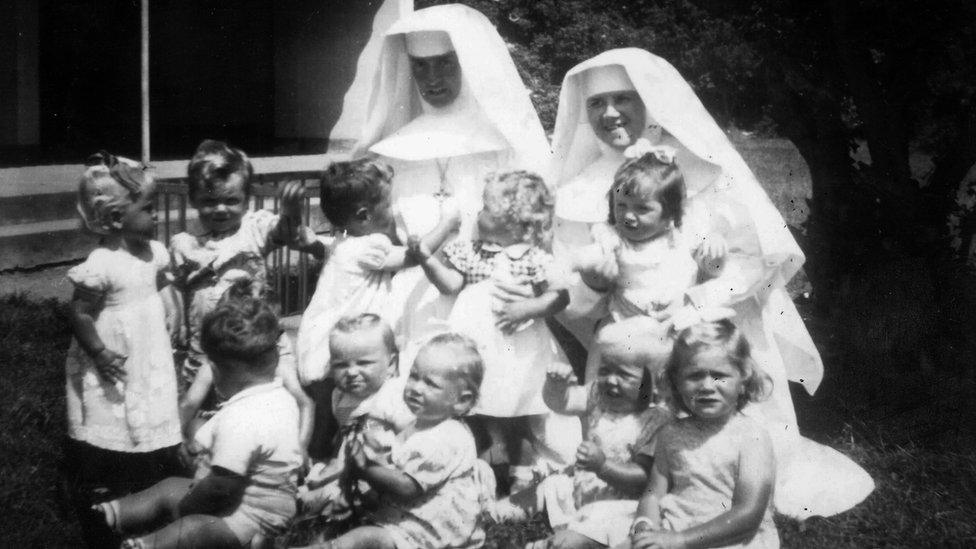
(514, 229)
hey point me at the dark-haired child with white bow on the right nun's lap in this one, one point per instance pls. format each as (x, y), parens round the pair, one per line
(642, 259)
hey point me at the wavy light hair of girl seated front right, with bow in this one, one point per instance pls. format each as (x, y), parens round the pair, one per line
(723, 336)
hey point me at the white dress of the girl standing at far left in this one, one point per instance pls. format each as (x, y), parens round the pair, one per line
(139, 413)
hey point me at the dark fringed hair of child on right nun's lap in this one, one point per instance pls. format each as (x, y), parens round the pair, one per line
(651, 177)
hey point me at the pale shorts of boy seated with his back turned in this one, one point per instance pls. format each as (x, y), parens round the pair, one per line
(263, 510)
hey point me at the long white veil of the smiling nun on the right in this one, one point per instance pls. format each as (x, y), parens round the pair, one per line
(670, 101)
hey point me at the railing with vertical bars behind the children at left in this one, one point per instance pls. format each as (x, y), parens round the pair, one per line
(291, 274)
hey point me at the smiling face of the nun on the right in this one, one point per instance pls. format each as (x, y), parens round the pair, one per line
(617, 118)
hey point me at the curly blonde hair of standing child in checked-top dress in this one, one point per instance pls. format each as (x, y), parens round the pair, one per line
(521, 199)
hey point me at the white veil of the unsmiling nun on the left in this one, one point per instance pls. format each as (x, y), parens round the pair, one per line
(489, 78)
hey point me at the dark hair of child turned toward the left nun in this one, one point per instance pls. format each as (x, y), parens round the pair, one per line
(349, 186)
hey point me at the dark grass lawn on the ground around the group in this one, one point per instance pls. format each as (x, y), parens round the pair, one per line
(925, 497)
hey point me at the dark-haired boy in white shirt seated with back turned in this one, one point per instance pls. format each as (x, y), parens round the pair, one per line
(245, 484)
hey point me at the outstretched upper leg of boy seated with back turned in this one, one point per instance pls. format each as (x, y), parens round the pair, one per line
(151, 507)
